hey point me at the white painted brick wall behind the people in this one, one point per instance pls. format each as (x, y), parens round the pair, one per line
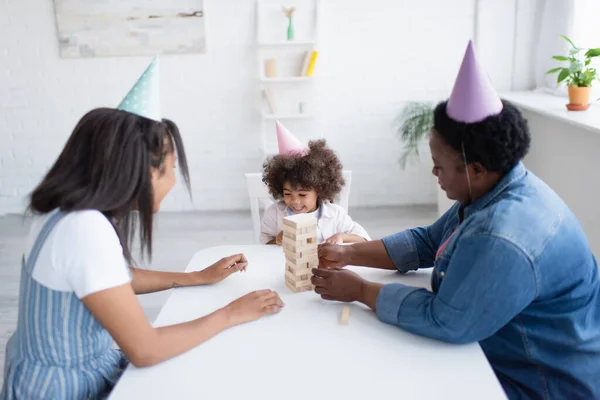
(373, 56)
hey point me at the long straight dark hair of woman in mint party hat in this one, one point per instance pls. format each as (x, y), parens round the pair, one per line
(106, 166)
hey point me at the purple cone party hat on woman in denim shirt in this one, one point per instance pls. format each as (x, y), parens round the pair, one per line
(473, 97)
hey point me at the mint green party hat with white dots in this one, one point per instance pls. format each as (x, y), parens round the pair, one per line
(144, 97)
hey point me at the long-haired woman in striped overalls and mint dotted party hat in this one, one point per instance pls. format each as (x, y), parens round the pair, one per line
(77, 291)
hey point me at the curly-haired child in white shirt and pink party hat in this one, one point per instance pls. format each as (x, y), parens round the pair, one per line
(306, 181)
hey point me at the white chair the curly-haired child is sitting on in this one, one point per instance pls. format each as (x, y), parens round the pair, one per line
(260, 198)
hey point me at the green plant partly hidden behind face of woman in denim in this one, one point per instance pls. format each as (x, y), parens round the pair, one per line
(413, 125)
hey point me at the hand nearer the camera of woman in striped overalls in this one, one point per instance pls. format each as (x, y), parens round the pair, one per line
(253, 306)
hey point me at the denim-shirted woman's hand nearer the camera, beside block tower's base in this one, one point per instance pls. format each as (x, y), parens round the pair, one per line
(337, 284)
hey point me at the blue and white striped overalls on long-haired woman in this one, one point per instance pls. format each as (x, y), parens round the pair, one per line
(59, 350)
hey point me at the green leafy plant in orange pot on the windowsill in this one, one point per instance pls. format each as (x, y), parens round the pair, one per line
(578, 75)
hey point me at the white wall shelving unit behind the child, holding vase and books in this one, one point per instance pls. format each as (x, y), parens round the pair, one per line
(291, 93)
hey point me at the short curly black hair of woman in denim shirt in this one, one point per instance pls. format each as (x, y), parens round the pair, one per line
(498, 142)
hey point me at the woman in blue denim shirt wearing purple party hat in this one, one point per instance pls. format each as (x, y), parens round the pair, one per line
(513, 269)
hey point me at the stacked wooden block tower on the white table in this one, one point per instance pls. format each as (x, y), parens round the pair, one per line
(300, 248)
